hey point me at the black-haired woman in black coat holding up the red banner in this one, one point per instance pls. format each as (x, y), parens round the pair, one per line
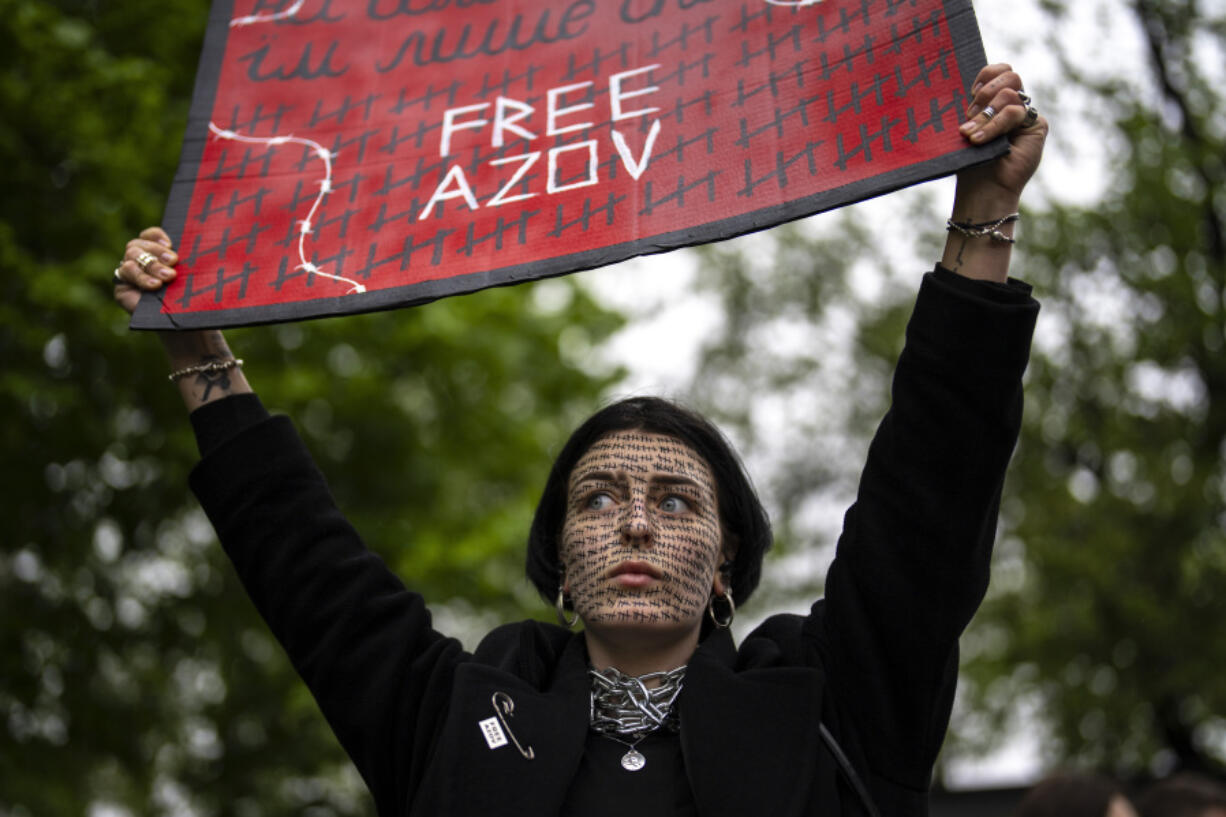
(648, 533)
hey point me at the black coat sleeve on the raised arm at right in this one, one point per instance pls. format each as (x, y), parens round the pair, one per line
(912, 565)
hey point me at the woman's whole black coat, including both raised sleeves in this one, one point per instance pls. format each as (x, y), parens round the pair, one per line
(876, 661)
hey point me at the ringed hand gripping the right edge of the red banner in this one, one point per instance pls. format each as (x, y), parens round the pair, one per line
(1000, 89)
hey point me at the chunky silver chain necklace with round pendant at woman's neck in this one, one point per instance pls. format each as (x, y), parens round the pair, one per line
(625, 711)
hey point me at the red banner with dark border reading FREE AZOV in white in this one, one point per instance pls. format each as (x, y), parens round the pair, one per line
(345, 156)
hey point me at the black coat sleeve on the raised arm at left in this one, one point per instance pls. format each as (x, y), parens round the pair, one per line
(364, 645)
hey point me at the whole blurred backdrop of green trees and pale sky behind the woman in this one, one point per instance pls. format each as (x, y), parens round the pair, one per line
(137, 678)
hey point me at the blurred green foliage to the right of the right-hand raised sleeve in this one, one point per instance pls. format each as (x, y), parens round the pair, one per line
(1113, 610)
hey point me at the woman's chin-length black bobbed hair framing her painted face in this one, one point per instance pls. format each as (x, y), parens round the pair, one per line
(744, 521)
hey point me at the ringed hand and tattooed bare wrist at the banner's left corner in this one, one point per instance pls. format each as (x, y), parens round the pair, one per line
(202, 364)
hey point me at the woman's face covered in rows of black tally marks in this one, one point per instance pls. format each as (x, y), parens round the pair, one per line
(642, 539)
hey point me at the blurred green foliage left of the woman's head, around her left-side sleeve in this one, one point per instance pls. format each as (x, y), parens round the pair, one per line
(135, 674)
